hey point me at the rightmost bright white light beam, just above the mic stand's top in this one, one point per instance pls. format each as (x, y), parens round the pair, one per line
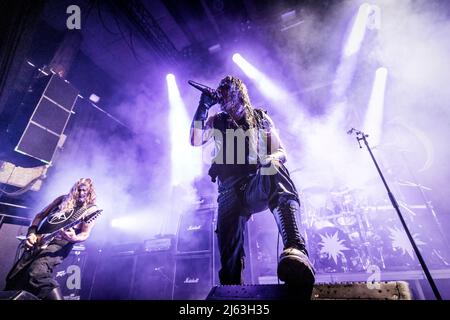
(373, 122)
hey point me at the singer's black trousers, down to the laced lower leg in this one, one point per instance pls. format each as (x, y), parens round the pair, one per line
(239, 197)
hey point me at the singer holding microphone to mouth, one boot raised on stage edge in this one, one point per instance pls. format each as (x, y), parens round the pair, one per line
(251, 177)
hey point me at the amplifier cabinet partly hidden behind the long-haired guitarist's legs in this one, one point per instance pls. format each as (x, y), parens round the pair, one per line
(70, 272)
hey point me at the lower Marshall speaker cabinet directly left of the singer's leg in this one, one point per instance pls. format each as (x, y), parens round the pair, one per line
(193, 277)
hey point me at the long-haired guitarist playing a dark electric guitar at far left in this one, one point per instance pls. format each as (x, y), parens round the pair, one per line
(35, 274)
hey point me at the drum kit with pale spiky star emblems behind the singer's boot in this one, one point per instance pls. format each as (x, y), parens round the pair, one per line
(348, 234)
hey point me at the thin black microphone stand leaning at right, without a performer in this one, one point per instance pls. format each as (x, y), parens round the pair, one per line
(362, 136)
